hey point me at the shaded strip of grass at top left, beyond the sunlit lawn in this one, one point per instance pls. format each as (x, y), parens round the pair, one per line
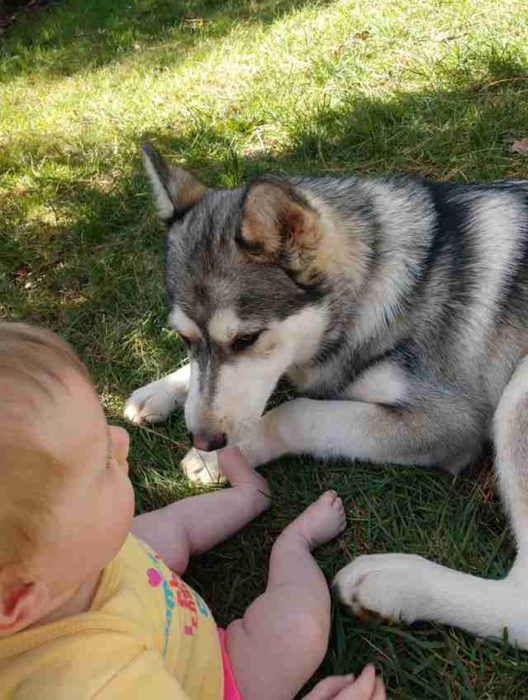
(78, 35)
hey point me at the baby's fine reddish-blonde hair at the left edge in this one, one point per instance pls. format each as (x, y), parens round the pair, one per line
(33, 365)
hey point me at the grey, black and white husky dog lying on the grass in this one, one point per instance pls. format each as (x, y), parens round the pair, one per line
(398, 308)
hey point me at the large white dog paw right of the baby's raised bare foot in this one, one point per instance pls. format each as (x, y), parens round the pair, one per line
(394, 586)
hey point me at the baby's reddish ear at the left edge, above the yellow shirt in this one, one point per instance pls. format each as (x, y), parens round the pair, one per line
(21, 602)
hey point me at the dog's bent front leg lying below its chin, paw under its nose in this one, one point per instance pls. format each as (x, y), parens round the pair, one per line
(352, 429)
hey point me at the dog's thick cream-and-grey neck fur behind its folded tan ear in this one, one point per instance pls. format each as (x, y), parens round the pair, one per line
(368, 279)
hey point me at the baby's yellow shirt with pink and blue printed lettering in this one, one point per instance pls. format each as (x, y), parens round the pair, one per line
(146, 635)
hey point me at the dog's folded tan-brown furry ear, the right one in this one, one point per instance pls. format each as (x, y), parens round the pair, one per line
(279, 225)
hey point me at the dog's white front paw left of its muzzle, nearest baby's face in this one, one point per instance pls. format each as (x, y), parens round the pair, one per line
(155, 402)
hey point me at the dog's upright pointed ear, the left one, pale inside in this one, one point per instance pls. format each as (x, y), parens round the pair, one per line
(175, 189)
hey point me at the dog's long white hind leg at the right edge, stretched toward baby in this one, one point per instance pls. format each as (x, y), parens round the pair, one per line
(409, 588)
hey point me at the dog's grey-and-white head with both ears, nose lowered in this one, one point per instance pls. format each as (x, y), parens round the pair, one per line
(244, 288)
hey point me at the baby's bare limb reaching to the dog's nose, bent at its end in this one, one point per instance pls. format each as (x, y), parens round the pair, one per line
(196, 524)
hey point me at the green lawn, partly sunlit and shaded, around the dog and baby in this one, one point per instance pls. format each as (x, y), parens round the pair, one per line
(439, 88)
